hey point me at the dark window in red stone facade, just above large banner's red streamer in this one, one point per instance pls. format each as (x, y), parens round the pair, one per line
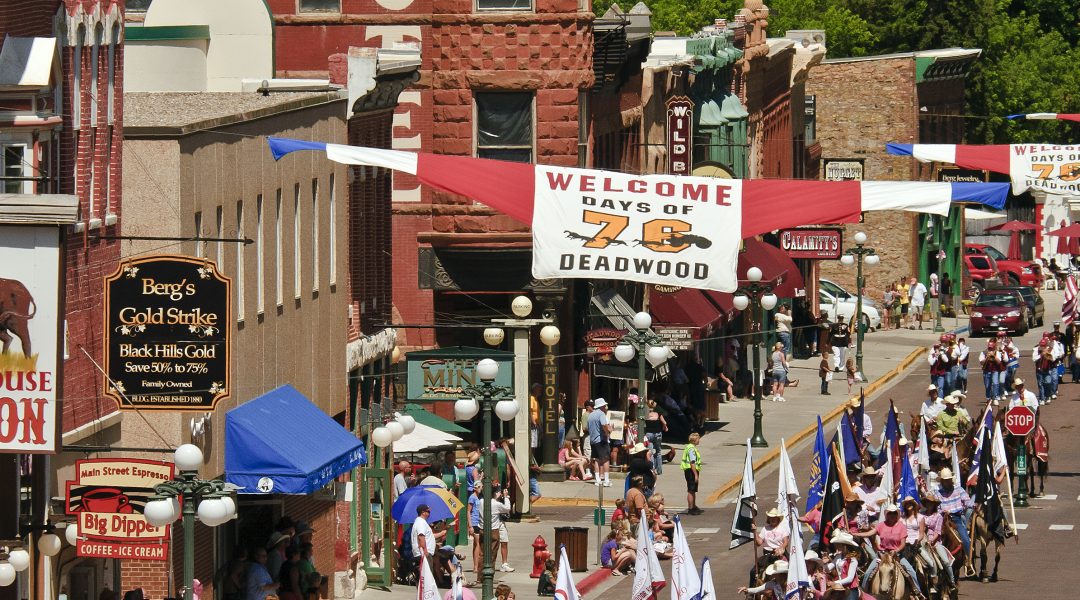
(505, 127)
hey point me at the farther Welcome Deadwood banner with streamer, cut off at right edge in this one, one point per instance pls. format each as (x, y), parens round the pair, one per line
(1052, 169)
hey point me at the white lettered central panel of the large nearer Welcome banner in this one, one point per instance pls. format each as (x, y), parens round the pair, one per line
(590, 224)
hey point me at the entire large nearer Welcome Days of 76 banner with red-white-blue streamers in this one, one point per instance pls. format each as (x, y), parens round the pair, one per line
(659, 229)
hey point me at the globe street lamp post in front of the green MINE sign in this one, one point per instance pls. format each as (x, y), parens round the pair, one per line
(491, 400)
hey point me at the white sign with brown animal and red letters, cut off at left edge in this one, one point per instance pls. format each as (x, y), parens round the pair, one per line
(30, 335)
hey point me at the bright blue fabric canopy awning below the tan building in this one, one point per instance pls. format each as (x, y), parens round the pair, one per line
(282, 444)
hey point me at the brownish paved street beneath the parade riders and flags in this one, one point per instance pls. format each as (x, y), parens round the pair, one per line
(1041, 563)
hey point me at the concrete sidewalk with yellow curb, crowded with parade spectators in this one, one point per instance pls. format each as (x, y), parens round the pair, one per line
(571, 503)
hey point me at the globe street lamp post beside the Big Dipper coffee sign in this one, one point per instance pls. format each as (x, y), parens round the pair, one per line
(187, 496)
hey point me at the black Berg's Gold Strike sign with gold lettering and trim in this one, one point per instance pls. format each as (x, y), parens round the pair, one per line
(167, 334)
